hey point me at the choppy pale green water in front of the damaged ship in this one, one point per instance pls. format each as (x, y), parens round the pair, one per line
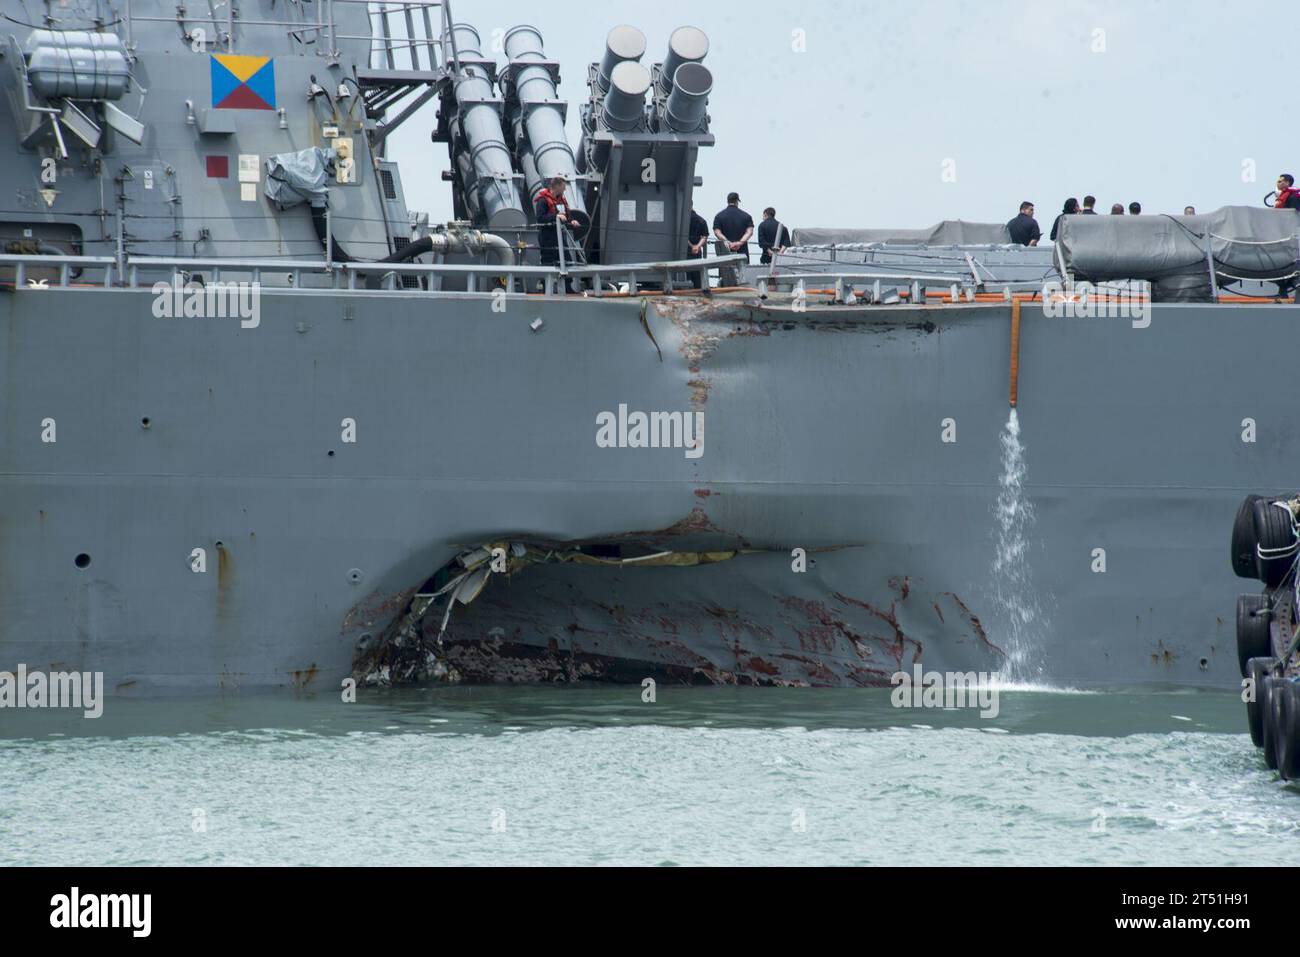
(593, 776)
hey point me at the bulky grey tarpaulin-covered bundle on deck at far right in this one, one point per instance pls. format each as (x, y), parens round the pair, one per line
(1247, 243)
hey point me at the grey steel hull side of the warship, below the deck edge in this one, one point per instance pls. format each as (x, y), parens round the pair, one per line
(824, 431)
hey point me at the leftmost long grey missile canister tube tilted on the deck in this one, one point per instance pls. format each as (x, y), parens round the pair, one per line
(483, 162)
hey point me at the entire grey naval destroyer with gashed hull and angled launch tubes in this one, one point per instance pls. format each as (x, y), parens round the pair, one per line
(265, 426)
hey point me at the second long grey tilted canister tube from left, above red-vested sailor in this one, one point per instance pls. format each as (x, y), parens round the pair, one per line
(545, 151)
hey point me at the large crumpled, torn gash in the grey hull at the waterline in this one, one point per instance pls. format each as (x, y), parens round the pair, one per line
(623, 610)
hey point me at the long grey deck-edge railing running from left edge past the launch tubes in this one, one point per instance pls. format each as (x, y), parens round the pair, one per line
(135, 272)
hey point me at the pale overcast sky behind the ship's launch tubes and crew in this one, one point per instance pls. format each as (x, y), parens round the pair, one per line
(1163, 102)
